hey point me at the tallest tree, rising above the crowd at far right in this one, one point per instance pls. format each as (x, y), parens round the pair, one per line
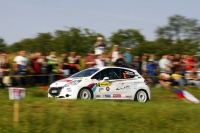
(178, 28)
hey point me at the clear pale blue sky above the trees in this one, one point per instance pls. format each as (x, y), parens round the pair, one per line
(22, 19)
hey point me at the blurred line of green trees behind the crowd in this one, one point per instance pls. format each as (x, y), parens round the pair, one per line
(180, 35)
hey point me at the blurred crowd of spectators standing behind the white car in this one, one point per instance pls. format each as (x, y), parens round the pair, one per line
(42, 69)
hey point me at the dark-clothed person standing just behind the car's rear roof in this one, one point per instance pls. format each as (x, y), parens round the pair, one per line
(136, 64)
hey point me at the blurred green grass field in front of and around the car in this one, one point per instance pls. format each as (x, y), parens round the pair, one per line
(164, 113)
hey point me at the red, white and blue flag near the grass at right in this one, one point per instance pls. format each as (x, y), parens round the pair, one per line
(186, 95)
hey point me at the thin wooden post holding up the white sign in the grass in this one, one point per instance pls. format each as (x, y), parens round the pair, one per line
(16, 112)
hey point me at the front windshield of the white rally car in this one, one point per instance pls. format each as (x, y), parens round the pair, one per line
(85, 73)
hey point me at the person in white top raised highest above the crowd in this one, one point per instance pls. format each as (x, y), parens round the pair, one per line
(99, 46)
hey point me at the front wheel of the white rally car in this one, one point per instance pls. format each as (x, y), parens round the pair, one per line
(85, 93)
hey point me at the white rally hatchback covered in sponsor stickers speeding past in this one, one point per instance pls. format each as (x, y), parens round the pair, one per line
(102, 83)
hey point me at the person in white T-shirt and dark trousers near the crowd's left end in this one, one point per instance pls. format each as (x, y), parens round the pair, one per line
(20, 67)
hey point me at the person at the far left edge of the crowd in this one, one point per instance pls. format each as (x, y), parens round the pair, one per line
(4, 69)
